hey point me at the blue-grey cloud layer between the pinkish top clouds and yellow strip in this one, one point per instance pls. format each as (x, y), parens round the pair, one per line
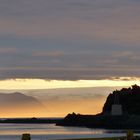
(68, 65)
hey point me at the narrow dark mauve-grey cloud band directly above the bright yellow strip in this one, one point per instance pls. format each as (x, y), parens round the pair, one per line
(67, 73)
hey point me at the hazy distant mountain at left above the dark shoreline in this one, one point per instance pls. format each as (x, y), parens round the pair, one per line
(18, 104)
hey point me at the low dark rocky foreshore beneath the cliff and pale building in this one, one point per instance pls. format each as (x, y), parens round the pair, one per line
(101, 121)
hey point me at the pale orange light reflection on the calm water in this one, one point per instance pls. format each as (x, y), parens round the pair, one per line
(16, 129)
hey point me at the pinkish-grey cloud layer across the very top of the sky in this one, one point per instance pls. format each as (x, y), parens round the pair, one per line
(90, 20)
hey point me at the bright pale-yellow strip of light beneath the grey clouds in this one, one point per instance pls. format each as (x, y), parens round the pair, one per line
(52, 84)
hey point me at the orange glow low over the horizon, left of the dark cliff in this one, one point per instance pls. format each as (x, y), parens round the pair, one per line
(54, 109)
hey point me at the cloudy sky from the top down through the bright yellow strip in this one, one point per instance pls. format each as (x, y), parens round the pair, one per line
(53, 44)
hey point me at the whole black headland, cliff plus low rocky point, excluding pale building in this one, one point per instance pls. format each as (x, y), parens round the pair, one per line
(129, 98)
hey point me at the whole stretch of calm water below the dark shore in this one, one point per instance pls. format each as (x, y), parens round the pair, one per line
(50, 131)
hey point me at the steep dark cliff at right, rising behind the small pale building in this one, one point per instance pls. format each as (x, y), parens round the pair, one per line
(129, 98)
